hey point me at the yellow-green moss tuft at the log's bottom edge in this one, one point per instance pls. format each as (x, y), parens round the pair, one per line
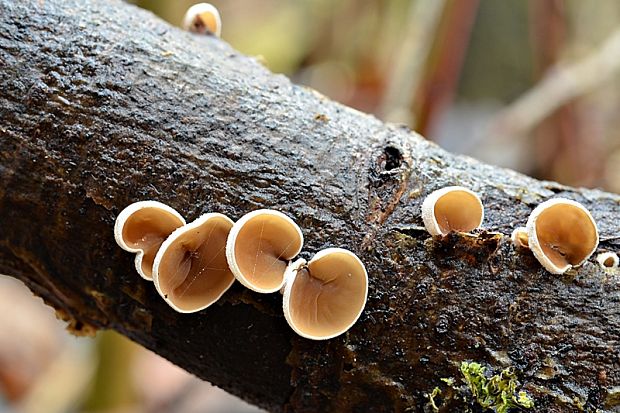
(498, 392)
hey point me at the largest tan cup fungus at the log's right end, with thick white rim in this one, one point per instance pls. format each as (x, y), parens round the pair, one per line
(561, 234)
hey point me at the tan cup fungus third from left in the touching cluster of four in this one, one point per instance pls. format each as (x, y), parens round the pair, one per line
(259, 248)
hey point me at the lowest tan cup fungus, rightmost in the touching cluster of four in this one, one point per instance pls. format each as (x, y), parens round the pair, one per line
(324, 298)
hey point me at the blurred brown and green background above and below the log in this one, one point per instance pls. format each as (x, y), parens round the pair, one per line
(531, 85)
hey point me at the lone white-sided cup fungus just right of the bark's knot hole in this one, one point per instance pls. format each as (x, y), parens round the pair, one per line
(452, 209)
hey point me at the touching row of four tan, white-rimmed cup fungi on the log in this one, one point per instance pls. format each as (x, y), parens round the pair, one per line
(193, 265)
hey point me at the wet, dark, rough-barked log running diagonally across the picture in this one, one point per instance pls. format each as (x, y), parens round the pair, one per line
(103, 104)
